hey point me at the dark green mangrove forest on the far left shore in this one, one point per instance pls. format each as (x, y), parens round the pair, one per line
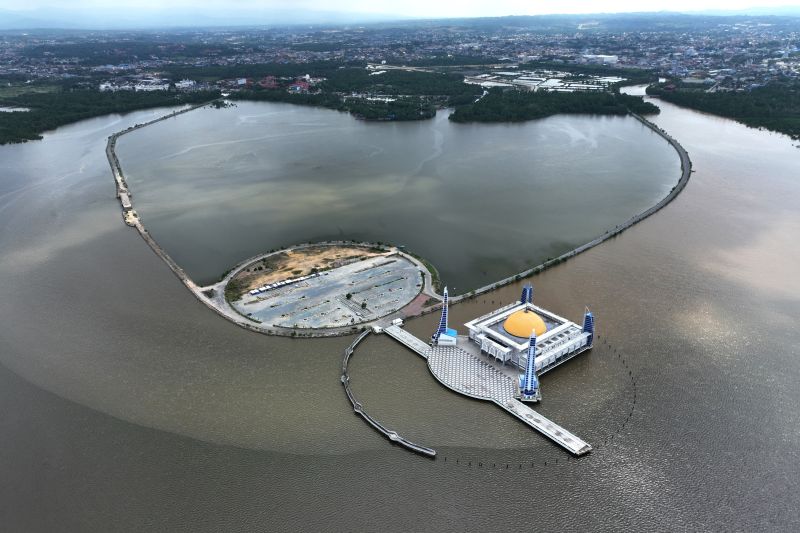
(51, 110)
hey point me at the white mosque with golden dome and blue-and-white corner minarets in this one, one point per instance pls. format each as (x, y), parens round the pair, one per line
(523, 336)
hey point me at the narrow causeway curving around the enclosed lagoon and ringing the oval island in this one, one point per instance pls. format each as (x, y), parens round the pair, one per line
(224, 309)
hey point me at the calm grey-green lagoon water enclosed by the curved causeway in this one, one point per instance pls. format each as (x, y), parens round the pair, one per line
(480, 201)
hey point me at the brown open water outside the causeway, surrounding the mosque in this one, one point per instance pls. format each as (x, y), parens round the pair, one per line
(127, 405)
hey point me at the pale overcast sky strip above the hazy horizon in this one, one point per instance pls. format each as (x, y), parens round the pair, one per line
(414, 8)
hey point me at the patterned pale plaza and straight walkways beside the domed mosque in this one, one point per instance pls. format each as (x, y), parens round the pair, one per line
(483, 379)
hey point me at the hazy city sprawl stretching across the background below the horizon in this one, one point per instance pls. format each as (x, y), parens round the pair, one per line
(715, 53)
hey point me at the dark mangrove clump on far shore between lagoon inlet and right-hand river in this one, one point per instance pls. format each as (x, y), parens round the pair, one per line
(516, 106)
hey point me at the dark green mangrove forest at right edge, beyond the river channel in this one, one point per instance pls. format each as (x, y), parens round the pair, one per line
(775, 106)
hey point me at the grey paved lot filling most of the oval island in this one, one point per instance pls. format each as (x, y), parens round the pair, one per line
(377, 287)
